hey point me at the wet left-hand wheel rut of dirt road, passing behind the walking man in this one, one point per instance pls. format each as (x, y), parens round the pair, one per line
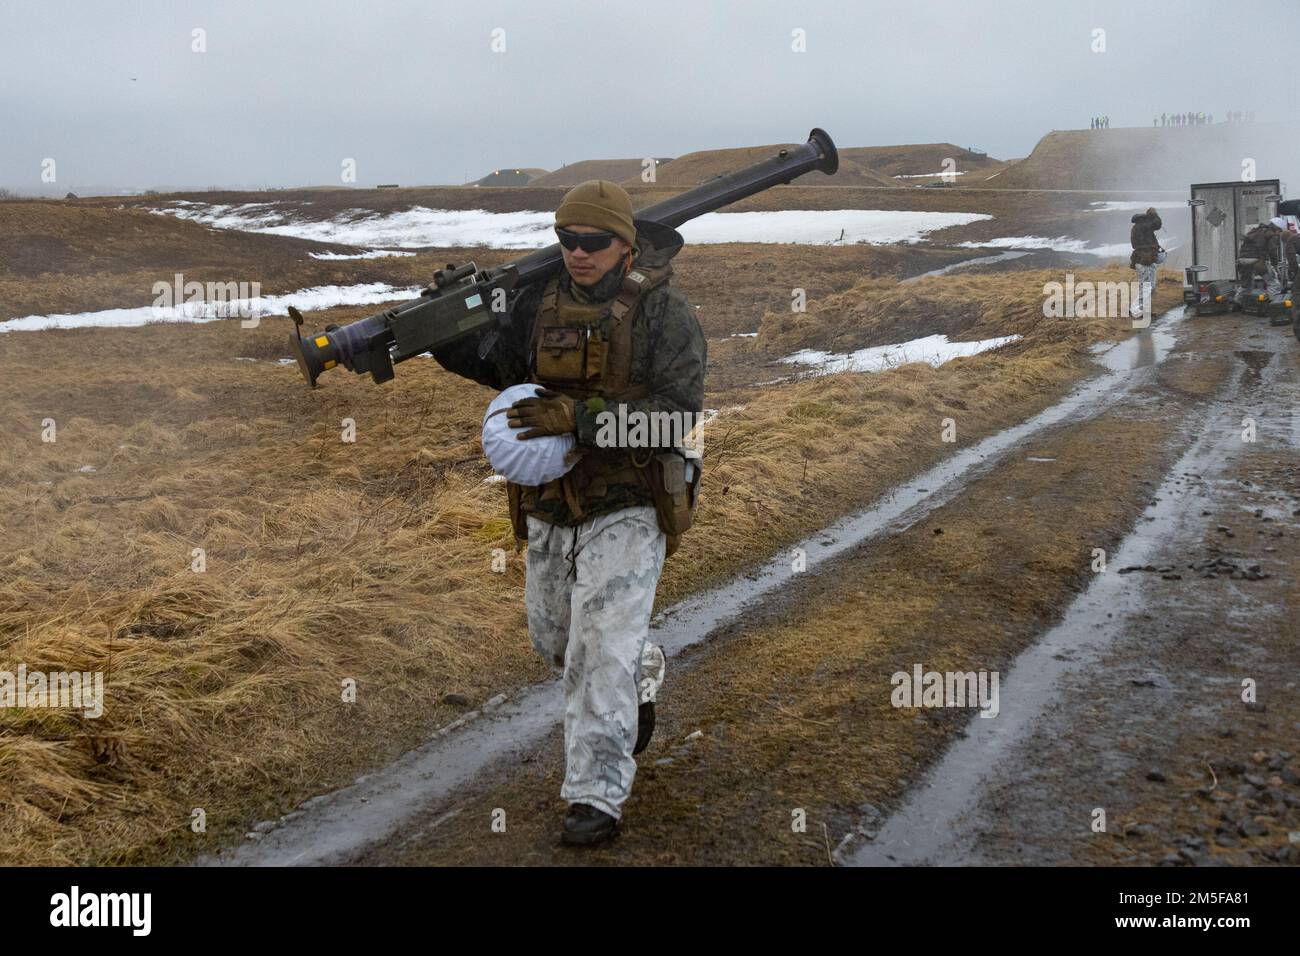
(340, 825)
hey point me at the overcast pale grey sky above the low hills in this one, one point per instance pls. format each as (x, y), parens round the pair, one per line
(414, 92)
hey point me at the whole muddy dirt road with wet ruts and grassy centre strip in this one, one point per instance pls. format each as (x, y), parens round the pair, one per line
(1121, 690)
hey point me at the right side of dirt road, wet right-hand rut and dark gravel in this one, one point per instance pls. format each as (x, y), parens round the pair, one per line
(1164, 704)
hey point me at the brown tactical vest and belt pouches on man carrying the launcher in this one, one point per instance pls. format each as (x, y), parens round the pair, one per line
(584, 351)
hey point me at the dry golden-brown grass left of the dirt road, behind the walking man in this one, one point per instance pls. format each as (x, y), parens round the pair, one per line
(330, 561)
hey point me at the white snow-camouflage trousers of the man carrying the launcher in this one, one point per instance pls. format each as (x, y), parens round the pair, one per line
(590, 592)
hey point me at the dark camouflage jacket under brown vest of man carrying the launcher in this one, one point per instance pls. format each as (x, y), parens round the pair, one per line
(669, 356)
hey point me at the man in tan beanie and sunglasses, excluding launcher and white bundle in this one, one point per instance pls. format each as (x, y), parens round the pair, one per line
(609, 330)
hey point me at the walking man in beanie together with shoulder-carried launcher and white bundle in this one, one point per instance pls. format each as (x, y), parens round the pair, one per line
(590, 330)
